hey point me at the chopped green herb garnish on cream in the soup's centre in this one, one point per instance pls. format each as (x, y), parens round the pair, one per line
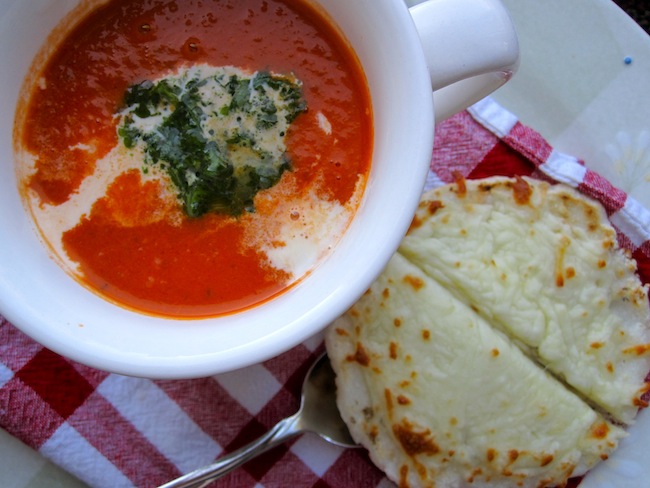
(219, 137)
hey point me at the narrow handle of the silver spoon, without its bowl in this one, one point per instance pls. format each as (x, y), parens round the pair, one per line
(281, 432)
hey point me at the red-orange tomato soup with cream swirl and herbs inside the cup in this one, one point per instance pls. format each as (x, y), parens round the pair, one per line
(116, 212)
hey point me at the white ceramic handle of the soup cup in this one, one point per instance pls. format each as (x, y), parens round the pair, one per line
(471, 49)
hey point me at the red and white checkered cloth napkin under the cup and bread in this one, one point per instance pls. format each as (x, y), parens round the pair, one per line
(114, 431)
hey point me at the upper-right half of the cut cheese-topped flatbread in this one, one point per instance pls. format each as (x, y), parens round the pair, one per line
(548, 272)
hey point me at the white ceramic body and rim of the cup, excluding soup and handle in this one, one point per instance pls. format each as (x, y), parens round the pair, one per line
(47, 304)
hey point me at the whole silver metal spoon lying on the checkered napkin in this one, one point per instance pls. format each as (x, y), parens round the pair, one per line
(318, 413)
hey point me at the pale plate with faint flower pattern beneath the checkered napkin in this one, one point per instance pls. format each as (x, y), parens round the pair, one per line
(576, 89)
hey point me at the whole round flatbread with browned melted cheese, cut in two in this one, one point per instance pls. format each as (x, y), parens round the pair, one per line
(503, 345)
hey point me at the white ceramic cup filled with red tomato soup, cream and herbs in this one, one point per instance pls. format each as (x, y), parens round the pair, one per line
(192, 188)
